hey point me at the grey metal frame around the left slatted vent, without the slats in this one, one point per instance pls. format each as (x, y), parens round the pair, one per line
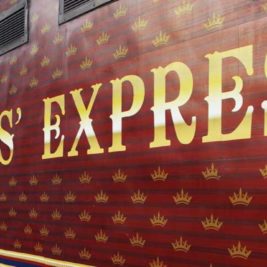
(23, 39)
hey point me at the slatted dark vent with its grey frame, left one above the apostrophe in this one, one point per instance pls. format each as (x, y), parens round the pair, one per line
(14, 27)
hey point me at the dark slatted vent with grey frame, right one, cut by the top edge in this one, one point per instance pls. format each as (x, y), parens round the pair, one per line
(69, 9)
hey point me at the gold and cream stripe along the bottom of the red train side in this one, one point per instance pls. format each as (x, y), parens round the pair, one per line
(38, 259)
